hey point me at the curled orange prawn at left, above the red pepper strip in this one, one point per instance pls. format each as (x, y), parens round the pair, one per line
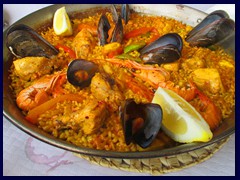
(40, 91)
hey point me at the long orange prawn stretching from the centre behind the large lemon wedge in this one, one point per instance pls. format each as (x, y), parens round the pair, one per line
(154, 76)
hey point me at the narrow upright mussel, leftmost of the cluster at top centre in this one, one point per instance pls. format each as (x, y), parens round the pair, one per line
(103, 28)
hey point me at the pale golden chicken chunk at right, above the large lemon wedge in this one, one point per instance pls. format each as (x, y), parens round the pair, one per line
(208, 79)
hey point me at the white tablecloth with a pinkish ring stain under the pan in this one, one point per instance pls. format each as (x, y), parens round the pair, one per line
(24, 155)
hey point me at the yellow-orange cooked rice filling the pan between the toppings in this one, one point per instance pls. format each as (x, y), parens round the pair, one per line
(57, 121)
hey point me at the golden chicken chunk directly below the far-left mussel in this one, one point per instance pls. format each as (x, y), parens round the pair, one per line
(32, 66)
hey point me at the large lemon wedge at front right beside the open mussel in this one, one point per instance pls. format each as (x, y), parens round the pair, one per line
(181, 121)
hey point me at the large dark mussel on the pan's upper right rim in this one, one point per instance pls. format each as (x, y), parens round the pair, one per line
(214, 28)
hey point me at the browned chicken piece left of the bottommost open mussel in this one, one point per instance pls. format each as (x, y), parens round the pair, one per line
(91, 117)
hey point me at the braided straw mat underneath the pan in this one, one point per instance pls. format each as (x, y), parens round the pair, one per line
(159, 165)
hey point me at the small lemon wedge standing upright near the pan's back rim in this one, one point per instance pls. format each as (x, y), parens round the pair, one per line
(61, 23)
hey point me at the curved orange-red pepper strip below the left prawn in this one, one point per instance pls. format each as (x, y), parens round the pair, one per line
(33, 114)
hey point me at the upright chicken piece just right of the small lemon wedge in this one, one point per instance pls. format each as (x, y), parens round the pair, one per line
(83, 43)
